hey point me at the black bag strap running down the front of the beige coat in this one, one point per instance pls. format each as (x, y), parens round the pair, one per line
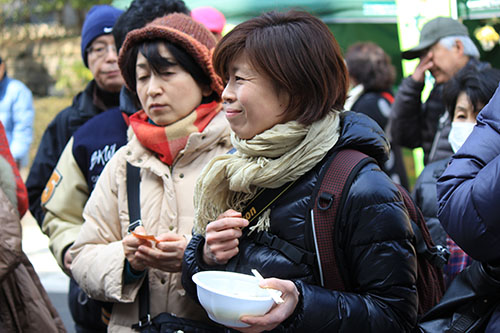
(134, 211)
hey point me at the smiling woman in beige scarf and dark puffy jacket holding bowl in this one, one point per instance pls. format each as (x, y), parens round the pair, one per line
(286, 83)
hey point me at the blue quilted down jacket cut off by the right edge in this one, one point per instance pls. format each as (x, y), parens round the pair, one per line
(469, 190)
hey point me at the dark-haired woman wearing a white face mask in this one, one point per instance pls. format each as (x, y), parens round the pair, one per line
(465, 95)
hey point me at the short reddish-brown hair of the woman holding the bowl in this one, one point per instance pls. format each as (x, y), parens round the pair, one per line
(310, 85)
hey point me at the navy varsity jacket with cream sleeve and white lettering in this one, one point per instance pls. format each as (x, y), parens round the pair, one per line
(77, 172)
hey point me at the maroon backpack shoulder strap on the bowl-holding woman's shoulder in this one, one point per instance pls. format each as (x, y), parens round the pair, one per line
(334, 183)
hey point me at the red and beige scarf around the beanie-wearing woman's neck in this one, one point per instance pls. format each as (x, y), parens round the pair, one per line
(168, 141)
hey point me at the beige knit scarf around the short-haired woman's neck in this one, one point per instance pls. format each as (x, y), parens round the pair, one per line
(269, 160)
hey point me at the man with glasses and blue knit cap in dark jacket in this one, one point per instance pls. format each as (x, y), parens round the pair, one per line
(102, 93)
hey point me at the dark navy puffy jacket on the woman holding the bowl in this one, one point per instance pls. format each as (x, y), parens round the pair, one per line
(376, 239)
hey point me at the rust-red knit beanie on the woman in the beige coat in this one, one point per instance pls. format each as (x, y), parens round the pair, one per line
(181, 30)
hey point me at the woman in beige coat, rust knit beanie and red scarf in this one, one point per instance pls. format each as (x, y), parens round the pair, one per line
(180, 129)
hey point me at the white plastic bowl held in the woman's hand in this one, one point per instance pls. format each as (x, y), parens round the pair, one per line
(226, 296)
